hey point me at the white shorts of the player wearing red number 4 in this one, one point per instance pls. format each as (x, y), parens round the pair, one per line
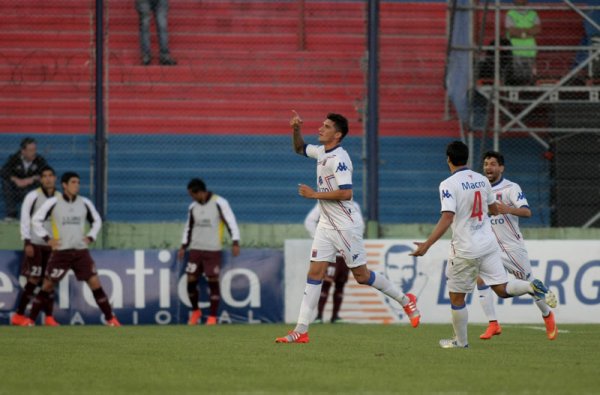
(462, 272)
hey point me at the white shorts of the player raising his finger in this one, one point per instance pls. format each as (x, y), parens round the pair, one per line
(348, 243)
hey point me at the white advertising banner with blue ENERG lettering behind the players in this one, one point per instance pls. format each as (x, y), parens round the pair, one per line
(571, 269)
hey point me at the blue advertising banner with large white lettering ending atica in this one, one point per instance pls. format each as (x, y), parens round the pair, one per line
(149, 287)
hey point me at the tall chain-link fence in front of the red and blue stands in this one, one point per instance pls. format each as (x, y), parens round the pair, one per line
(213, 101)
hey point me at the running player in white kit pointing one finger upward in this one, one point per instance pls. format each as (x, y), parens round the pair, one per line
(339, 229)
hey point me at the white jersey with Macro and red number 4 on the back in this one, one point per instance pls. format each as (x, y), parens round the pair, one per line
(467, 194)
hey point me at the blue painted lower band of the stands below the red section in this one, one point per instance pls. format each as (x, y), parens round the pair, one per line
(148, 174)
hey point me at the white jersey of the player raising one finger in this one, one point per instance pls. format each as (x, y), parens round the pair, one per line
(334, 172)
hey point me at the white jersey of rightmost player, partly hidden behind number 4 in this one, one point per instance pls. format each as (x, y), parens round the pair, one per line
(506, 226)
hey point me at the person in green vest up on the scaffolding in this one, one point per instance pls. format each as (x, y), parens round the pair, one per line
(522, 26)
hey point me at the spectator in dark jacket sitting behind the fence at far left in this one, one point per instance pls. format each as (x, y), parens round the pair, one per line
(21, 174)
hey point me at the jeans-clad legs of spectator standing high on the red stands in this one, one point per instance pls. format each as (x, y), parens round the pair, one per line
(160, 9)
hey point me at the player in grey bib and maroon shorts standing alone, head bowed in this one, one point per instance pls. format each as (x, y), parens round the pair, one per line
(202, 234)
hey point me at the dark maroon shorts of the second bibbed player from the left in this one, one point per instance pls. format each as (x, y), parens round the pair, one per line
(80, 261)
